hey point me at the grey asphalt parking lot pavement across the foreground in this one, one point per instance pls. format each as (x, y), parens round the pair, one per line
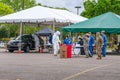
(36, 66)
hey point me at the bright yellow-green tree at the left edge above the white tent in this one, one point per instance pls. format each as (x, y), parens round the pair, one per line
(5, 9)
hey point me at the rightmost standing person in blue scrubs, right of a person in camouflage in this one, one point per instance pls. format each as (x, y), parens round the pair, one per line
(104, 43)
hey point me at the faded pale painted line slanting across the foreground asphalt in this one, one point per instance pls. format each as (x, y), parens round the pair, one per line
(83, 72)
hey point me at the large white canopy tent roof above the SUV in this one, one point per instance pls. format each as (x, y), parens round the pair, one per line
(41, 14)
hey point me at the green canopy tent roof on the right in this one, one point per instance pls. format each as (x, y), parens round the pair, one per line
(109, 22)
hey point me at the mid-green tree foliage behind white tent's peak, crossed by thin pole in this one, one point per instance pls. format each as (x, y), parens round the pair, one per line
(17, 5)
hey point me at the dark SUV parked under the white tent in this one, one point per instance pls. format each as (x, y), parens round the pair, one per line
(27, 43)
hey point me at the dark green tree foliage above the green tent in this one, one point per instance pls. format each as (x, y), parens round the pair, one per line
(94, 8)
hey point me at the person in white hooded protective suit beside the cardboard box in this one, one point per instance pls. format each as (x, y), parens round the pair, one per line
(56, 42)
